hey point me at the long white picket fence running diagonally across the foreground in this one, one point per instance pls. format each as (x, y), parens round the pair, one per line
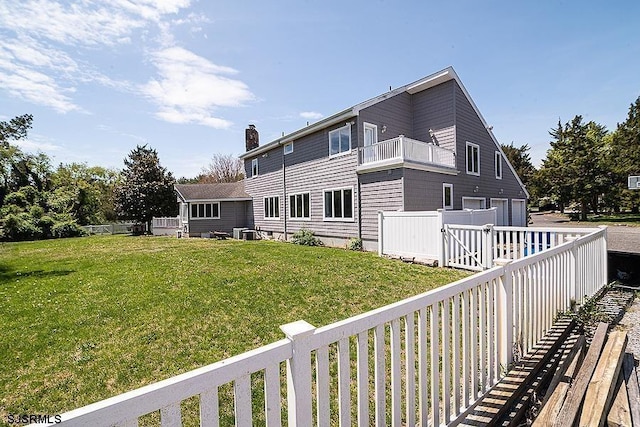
(430, 356)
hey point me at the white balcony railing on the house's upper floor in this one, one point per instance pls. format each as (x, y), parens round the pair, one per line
(407, 149)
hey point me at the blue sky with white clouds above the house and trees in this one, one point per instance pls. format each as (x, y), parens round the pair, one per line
(187, 76)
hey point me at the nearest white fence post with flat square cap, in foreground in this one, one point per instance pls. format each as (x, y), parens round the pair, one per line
(299, 405)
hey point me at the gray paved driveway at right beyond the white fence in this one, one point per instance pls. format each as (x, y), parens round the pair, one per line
(620, 238)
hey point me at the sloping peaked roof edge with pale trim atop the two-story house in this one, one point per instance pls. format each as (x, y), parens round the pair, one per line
(425, 83)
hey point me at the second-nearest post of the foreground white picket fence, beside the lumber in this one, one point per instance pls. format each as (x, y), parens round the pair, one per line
(505, 317)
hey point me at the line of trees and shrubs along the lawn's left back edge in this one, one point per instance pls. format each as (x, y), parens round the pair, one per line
(38, 201)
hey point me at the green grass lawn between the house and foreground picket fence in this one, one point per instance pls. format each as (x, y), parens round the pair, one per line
(85, 319)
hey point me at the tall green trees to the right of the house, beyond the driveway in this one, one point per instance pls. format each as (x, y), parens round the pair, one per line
(586, 166)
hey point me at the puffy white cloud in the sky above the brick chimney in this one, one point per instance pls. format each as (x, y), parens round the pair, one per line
(189, 88)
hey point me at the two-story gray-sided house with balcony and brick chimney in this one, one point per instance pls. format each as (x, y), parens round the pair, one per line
(421, 147)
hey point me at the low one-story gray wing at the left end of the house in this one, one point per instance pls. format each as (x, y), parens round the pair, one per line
(214, 207)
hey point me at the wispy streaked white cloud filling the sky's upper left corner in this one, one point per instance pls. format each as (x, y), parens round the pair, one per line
(35, 35)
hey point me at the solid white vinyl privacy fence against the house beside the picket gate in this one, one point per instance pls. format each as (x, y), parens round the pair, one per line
(419, 234)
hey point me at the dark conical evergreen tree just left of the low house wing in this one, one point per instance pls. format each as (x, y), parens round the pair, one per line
(146, 189)
